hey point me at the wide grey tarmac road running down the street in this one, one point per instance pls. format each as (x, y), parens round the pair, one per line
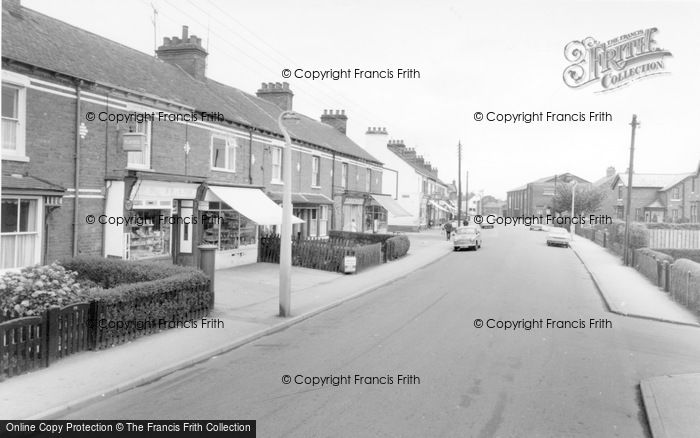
(564, 380)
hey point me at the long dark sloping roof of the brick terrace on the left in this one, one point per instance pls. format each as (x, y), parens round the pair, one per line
(50, 44)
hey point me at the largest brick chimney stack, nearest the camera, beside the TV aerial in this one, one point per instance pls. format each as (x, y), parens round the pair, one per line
(186, 52)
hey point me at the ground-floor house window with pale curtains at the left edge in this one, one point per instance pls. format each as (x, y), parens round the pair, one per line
(19, 236)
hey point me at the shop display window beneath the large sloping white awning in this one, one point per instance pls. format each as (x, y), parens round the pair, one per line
(226, 228)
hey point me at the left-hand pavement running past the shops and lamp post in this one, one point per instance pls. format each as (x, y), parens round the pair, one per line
(246, 309)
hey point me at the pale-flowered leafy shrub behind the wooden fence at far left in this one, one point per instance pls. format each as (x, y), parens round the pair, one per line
(35, 289)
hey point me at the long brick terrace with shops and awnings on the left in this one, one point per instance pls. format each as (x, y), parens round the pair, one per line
(77, 147)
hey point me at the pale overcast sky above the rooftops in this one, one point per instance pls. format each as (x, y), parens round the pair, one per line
(500, 57)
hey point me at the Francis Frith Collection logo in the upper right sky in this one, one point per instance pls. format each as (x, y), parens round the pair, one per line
(616, 62)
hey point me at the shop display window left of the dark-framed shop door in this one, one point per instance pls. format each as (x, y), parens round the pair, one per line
(149, 234)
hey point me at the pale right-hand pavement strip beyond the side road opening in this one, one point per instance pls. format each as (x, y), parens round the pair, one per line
(626, 291)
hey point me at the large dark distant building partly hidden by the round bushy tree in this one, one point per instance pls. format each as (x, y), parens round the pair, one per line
(535, 198)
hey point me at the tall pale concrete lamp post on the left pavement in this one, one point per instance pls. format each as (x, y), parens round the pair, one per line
(286, 232)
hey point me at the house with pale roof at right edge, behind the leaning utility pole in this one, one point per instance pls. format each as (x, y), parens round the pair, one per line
(658, 197)
